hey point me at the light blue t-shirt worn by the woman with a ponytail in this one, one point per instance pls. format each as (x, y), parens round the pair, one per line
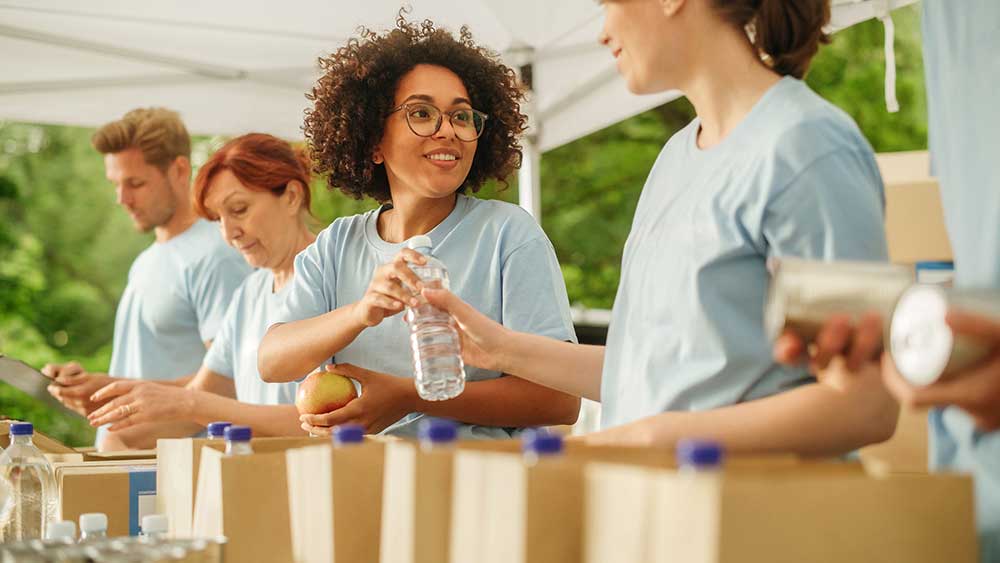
(794, 178)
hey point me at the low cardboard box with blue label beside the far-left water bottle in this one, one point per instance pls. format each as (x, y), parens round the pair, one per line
(124, 490)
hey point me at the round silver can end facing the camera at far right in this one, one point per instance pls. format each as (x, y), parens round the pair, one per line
(920, 340)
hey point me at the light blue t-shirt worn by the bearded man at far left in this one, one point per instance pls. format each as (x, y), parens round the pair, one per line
(176, 296)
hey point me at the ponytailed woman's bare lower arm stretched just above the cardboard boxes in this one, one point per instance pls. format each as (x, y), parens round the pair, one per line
(841, 413)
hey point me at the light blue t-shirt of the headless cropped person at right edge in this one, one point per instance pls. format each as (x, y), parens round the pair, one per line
(962, 67)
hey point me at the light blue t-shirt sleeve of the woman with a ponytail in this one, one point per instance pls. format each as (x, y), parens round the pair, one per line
(832, 209)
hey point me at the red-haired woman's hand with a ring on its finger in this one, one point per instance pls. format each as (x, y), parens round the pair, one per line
(131, 401)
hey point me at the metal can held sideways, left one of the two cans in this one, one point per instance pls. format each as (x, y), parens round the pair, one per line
(804, 294)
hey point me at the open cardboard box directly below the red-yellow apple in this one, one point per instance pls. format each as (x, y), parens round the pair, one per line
(335, 502)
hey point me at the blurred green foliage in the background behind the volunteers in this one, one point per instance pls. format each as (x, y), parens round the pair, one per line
(65, 247)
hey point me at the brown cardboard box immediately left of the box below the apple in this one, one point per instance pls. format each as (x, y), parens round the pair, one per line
(245, 499)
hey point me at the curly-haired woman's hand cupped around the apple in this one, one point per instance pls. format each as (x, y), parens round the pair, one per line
(384, 400)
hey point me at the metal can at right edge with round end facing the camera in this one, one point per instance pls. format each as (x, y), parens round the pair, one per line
(923, 346)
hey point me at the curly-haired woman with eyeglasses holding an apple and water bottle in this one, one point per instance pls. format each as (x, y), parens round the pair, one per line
(416, 119)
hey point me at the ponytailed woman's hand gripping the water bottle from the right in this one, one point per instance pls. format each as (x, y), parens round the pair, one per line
(483, 338)
